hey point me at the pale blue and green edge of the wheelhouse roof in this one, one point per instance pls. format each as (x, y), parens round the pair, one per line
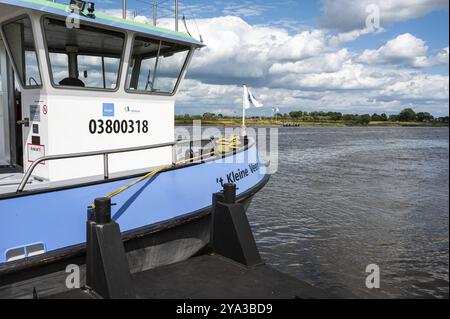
(104, 19)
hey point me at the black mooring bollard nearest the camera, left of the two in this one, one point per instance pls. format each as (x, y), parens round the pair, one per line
(107, 270)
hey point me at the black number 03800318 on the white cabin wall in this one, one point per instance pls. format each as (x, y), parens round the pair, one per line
(118, 126)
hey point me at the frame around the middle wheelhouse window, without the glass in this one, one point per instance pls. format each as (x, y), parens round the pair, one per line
(92, 25)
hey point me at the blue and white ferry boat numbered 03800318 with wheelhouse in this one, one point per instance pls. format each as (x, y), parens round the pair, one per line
(87, 110)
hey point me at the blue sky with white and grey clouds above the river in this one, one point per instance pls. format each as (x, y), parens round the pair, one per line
(360, 56)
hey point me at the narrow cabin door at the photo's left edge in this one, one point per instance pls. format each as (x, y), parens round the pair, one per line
(11, 142)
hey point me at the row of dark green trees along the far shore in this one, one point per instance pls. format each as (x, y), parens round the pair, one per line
(406, 115)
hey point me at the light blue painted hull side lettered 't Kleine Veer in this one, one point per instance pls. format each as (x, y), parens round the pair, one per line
(57, 219)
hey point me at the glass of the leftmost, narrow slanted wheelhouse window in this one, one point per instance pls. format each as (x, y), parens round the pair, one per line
(20, 40)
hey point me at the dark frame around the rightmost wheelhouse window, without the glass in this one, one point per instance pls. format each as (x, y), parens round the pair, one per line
(183, 69)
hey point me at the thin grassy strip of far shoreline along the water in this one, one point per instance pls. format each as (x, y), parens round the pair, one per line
(252, 122)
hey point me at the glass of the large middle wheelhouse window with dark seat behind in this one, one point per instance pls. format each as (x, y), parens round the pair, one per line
(84, 57)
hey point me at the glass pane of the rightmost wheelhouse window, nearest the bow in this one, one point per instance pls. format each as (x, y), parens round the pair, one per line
(156, 66)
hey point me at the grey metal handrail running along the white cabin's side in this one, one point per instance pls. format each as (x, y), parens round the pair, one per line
(105, 154)
